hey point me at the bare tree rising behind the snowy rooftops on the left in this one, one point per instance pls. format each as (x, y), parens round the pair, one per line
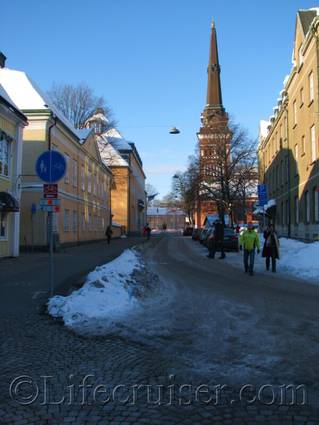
(78, 103)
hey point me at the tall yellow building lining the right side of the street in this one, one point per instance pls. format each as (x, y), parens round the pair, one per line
(288, 146)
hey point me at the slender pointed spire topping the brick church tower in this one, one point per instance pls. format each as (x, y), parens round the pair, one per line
(214, 91)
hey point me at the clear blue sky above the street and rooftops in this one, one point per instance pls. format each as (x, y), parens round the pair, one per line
(149, 58)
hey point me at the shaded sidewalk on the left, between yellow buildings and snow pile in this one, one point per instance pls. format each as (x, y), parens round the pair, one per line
(24, 281)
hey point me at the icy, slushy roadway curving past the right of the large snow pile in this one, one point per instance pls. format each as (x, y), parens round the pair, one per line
(238, 329)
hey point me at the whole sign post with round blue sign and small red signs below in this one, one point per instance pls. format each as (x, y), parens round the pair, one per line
(50, 168)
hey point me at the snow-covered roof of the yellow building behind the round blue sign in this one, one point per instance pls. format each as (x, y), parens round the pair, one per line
(27, 96)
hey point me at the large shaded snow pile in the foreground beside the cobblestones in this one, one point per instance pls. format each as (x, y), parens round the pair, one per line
(107, 293)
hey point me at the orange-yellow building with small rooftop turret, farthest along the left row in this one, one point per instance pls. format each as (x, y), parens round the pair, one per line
(128, 186)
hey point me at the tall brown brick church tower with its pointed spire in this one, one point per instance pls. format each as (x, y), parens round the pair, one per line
(214, 128)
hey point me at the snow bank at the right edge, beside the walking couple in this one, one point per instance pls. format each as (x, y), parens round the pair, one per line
(300, 259)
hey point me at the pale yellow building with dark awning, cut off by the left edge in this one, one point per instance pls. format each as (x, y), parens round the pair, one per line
(12, 122)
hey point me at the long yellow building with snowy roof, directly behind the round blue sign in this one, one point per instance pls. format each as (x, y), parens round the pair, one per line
(85, 189)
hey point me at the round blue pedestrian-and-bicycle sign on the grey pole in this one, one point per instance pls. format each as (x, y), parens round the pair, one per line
(50, 166)
